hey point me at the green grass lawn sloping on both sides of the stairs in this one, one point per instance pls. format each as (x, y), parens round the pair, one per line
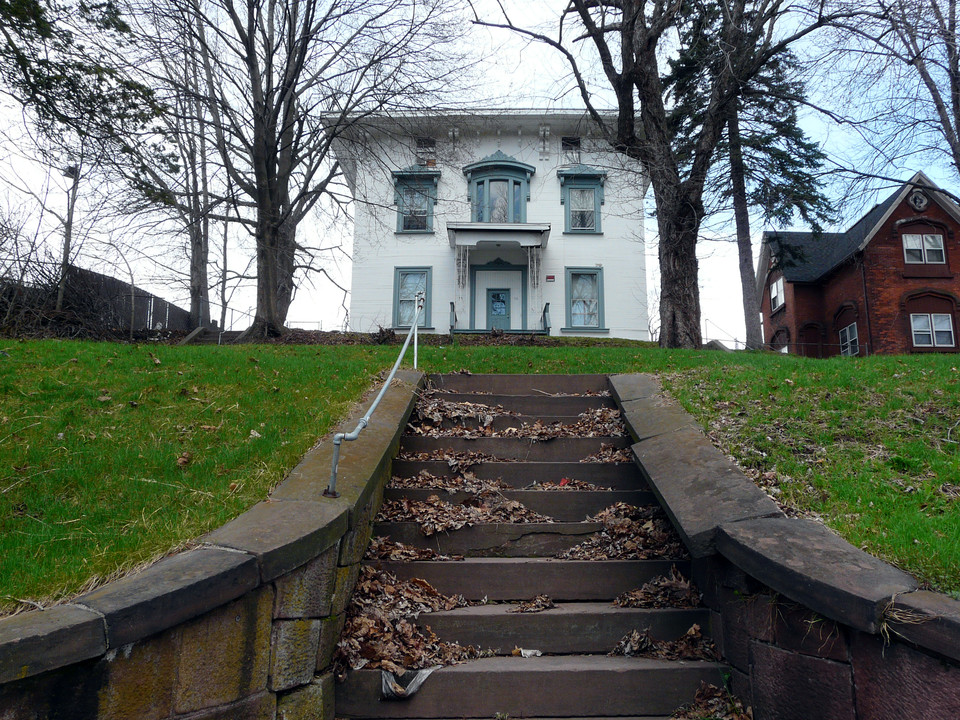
(112, 455)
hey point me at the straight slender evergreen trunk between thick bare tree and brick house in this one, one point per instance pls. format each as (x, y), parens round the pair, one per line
(748, 278)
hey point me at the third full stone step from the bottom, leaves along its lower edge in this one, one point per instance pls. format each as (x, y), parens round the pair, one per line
(500, 579)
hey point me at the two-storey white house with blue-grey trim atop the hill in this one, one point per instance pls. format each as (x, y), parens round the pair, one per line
(518, 220)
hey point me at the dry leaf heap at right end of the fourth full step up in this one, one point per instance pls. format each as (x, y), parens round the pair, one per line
(629, 533)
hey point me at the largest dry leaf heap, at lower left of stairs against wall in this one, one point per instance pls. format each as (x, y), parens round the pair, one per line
(380, 633)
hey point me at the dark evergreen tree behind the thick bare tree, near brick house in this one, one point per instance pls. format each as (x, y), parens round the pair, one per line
(764, 161)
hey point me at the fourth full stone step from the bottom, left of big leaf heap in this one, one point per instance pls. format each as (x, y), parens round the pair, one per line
(543, 540)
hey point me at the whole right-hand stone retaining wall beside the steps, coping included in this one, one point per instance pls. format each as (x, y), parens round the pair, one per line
(811, 626)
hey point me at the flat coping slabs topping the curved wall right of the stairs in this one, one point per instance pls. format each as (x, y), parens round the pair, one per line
(717, 510)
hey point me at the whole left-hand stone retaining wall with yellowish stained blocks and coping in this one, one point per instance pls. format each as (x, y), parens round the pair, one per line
(241, 627)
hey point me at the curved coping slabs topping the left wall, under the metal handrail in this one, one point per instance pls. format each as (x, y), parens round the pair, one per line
(293, 526)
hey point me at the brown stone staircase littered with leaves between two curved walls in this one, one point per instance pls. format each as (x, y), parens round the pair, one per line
(574, 676)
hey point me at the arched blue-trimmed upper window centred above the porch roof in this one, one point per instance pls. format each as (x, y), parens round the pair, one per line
(499, 189)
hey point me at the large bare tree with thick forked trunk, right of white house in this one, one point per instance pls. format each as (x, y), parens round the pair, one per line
(630, 40)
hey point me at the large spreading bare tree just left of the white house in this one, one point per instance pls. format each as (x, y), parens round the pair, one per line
(271, 85)
